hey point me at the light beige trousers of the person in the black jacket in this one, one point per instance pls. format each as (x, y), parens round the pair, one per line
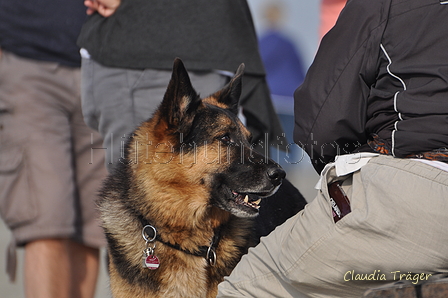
(397, 230)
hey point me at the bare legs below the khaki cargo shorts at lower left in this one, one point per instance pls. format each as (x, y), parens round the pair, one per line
(60, 268)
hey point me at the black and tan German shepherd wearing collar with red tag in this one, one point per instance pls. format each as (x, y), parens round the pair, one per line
(178, 215)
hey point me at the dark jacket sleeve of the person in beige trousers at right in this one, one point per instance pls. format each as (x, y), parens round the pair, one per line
(330, 105)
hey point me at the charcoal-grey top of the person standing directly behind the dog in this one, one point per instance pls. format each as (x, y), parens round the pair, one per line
(150, 34)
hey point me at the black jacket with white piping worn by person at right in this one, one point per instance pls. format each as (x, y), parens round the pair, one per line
(381, 71)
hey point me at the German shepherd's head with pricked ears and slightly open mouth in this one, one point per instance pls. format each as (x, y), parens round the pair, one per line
(206, 149)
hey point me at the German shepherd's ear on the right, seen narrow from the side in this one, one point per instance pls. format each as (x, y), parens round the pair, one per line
(230, 94)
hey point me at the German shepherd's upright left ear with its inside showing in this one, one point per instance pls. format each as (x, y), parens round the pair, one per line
(181, 100)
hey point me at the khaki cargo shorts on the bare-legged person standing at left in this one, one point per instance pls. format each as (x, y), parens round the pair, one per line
(50, 171)
